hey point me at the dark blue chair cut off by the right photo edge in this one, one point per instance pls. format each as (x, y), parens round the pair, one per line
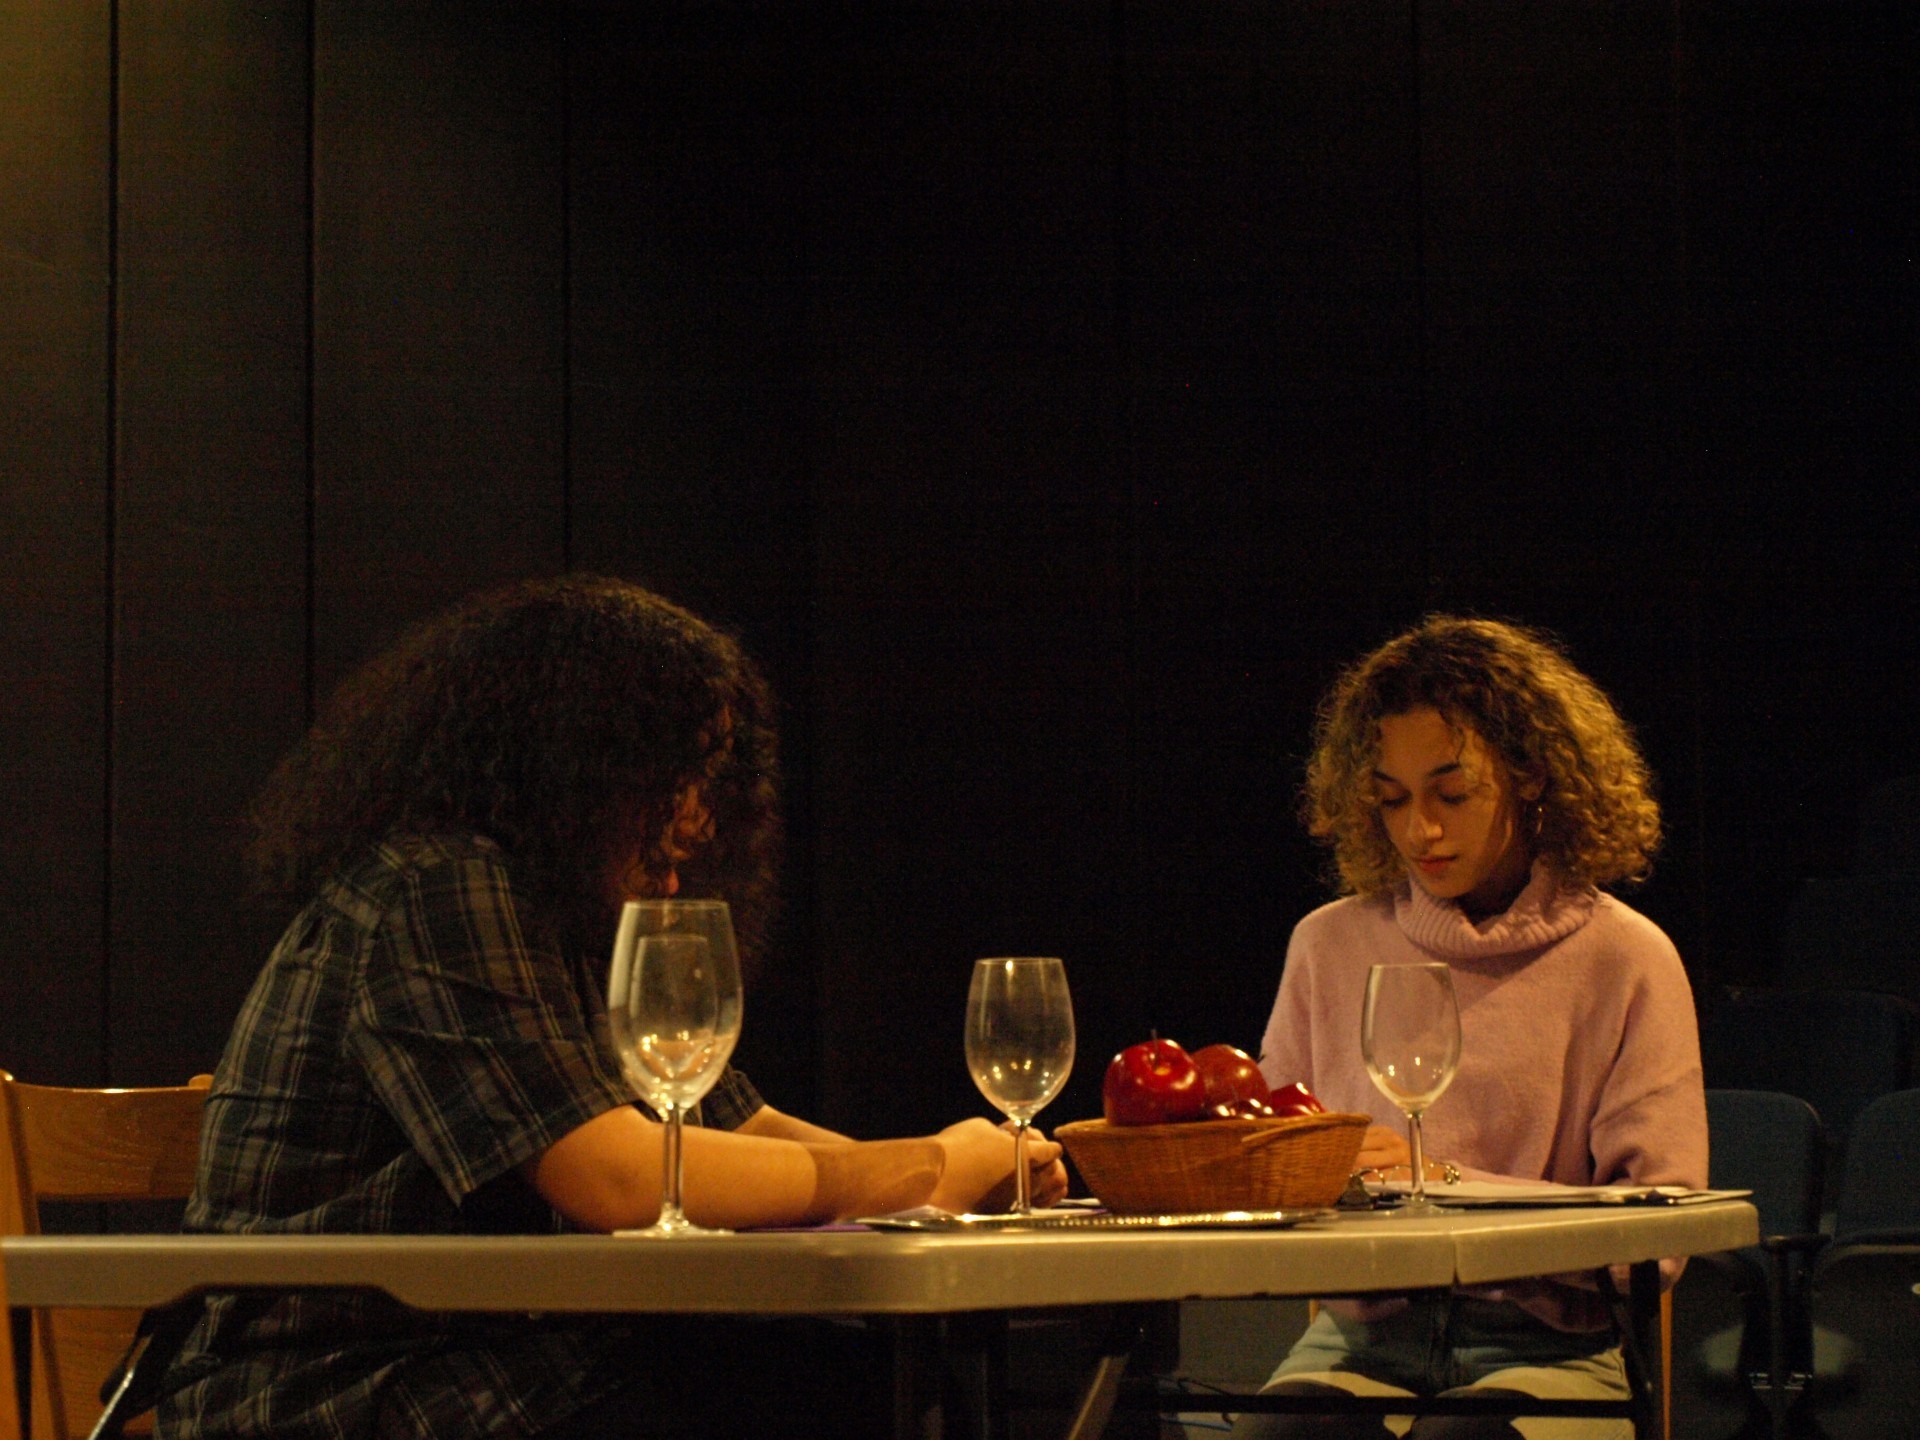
(1865, 1285)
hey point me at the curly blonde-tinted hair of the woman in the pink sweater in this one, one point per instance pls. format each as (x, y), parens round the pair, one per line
(1558, 734)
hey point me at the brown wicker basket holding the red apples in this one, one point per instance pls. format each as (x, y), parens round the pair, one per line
(1301, 1163)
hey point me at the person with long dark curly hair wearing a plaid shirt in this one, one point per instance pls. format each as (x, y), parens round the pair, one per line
(427, 1047)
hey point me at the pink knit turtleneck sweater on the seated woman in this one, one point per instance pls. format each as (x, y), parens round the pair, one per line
(1579, 1045)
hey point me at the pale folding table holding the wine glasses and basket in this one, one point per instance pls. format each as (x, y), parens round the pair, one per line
(846, 1272)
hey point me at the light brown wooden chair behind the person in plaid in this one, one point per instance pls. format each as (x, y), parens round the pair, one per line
(87, 1147)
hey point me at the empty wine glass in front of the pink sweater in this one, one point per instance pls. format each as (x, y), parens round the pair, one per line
(1410, 1036)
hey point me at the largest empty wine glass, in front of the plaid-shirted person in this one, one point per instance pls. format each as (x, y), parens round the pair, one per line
(673, 1005)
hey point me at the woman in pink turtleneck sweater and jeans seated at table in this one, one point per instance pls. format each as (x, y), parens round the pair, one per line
(1476, 790)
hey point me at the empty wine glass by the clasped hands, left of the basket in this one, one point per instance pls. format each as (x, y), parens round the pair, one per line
(1020, 1045)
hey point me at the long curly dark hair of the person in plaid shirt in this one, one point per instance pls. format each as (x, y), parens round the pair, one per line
(562, 719)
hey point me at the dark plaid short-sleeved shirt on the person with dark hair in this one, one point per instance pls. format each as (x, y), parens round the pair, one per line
(402, 1053)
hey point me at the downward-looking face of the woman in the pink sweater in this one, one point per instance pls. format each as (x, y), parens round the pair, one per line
(1451, 809)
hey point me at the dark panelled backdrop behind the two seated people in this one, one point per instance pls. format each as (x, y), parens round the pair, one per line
(1053, 398)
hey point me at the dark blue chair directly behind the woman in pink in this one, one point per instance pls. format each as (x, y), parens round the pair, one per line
(1739, 1318)
